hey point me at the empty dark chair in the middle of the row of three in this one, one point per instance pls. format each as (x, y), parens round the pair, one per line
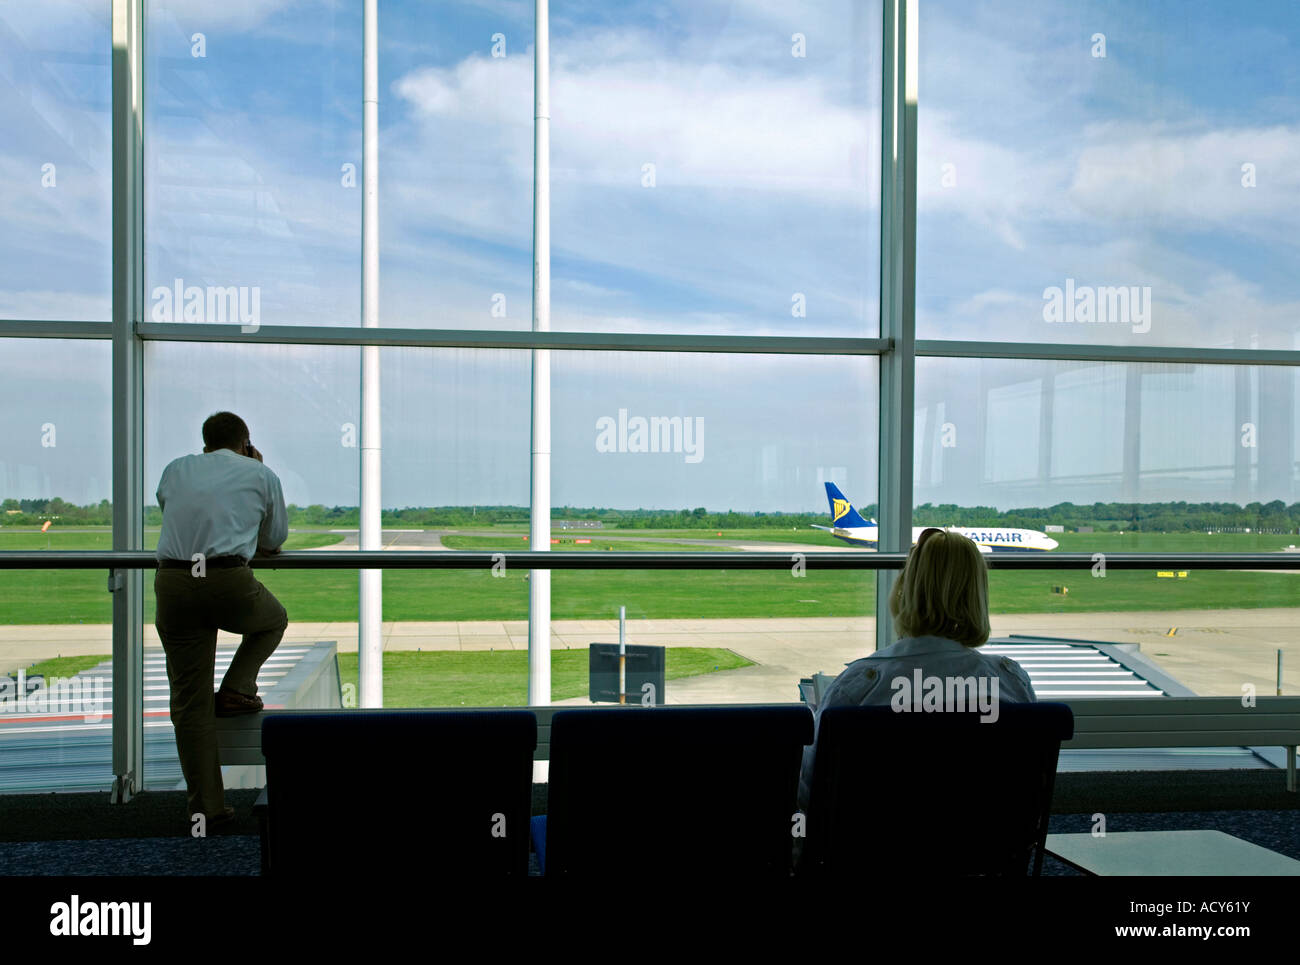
(674, 790)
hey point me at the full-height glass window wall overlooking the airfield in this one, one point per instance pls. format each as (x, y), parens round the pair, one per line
(1087, 174)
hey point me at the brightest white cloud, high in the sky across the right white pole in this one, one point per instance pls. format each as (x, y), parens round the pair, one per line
(618, 102)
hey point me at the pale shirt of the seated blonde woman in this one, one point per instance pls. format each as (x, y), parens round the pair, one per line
(869, 682)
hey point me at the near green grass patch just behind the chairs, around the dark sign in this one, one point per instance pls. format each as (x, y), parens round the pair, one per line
(499, 680)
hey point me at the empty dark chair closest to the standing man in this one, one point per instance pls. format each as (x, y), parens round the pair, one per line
(400, 791)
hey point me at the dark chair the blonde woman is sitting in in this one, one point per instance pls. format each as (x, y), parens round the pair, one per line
(933, 794)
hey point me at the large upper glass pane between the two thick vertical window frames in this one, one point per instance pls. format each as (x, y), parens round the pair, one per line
(764, 215)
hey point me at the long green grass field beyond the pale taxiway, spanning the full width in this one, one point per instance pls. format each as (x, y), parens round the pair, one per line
(79, 596)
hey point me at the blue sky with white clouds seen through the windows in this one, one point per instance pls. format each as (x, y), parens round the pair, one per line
(705, 179)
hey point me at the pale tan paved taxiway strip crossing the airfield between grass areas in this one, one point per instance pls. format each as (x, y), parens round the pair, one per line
(1212, 652)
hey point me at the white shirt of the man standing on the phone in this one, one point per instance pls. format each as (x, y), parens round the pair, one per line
(222, 505)
